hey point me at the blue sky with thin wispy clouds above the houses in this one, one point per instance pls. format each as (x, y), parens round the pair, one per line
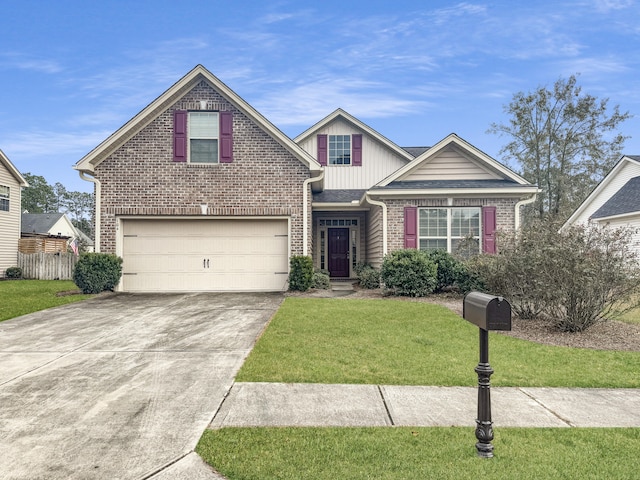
(73, 72)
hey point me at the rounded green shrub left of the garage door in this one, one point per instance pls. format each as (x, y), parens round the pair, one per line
(97, 272)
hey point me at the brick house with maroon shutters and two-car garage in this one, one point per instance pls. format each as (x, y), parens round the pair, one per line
(200, 192)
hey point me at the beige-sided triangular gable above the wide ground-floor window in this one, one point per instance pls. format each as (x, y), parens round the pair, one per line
(453, 159)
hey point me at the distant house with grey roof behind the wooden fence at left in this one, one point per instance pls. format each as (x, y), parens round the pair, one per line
(46, 232)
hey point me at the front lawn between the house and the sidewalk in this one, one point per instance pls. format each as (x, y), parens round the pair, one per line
(407, 343)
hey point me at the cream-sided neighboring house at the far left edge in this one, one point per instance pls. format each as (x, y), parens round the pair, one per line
(11, 183)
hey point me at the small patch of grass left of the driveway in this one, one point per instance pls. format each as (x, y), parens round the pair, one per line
(19, 297)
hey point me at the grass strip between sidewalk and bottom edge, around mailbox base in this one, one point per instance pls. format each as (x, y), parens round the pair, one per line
(420, 453)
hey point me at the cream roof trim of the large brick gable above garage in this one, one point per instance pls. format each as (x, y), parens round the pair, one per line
(171, 96)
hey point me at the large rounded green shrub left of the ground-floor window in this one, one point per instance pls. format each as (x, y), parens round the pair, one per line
(409, 272)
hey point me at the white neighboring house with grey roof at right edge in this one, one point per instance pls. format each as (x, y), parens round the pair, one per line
(615, 201)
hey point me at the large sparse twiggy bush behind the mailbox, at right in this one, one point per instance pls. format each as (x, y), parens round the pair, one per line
(575, 277)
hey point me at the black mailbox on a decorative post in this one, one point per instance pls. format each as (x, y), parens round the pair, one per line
(488, 313)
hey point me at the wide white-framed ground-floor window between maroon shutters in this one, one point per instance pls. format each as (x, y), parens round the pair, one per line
(445, 228)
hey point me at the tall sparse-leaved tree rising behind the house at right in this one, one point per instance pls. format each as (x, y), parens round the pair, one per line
(564, 141)
